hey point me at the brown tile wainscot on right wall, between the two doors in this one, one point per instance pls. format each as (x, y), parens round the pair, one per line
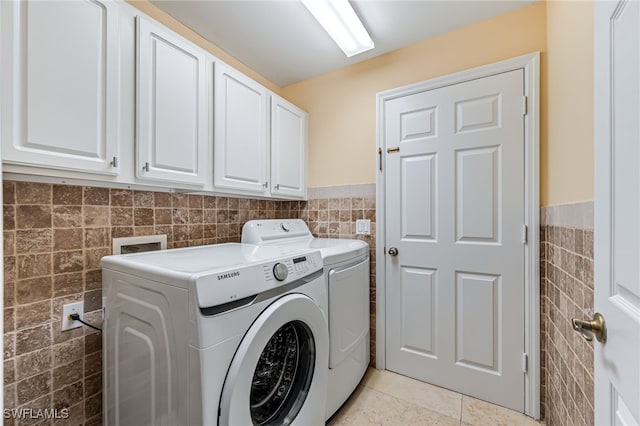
(566, 249)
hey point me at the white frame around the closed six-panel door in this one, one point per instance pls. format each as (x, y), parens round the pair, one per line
(530, 63)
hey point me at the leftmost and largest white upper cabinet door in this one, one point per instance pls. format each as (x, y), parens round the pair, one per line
(60, 89)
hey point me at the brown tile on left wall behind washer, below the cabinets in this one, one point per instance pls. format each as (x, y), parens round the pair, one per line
(54, 237)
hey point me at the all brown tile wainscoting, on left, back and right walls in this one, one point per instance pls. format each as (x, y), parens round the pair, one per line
(55, 235)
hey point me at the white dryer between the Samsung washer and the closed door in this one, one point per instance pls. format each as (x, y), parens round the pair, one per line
(346, 268)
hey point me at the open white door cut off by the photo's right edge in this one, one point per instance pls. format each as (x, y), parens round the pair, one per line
(617, 211)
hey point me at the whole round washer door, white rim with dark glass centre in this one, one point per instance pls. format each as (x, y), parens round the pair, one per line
(278, 374)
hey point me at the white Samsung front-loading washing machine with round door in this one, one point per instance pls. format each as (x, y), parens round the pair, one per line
(228, 334)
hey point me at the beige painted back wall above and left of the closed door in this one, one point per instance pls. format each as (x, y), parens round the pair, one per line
(342, 104)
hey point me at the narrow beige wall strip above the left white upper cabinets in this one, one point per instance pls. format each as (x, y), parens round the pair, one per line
(165, 19)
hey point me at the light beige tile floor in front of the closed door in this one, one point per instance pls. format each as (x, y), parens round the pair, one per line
(386, 398)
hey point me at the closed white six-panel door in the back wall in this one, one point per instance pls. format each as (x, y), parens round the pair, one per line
(455, 213)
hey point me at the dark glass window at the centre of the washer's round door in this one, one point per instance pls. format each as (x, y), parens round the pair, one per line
(283, 375)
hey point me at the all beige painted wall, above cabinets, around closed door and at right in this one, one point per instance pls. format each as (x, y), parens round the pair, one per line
(342, 104)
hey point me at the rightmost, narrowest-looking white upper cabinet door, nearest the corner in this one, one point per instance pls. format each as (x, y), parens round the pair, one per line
(288, 149)
